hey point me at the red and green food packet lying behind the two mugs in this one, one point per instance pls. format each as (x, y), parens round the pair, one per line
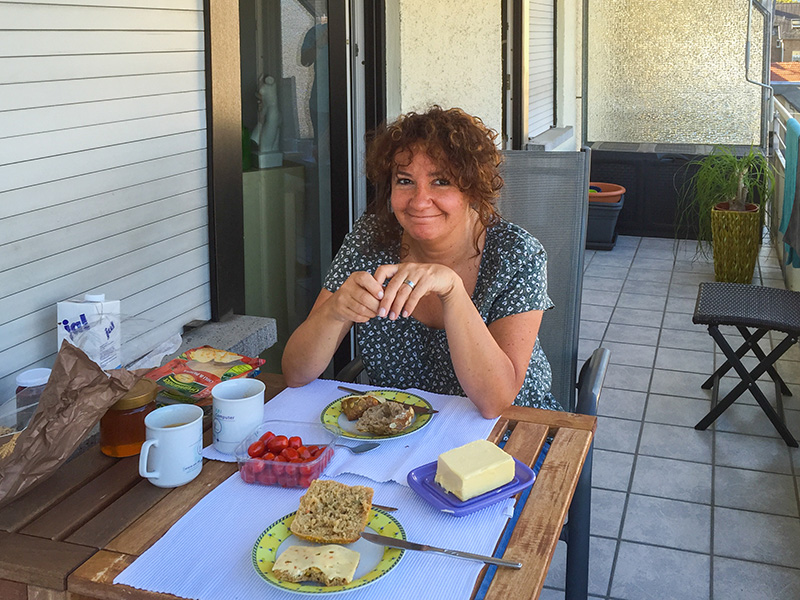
(190, 377)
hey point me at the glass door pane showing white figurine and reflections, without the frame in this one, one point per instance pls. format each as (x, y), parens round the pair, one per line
(286, 158)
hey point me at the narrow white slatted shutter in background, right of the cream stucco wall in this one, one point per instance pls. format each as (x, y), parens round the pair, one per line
(541, 65)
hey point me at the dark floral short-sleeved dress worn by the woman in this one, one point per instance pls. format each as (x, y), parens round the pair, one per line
(512, 279)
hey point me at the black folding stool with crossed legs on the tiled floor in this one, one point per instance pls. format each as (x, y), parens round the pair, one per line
(747, 307)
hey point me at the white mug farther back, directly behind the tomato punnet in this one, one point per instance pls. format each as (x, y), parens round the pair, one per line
(238, 408)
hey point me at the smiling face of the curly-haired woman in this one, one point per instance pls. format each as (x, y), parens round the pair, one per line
(426, 203)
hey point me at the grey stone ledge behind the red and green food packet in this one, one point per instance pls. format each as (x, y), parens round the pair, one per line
(242, 334)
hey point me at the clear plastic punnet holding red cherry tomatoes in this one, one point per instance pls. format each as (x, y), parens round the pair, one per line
(286, 474)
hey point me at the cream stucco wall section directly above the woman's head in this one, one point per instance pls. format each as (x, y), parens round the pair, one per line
(445, 52)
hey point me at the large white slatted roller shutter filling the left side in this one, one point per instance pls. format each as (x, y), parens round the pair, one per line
(103, 183)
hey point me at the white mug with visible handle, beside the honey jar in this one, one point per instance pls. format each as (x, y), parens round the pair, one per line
(172, 453)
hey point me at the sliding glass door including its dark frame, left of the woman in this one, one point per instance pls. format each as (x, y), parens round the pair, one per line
(304, 101)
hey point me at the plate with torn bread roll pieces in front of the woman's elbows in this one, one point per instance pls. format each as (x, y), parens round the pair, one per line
(376, 414)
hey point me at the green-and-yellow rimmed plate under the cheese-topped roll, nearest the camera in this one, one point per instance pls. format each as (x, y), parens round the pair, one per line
(374, 563)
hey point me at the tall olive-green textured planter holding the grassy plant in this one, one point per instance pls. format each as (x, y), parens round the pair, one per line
(735, 237)
